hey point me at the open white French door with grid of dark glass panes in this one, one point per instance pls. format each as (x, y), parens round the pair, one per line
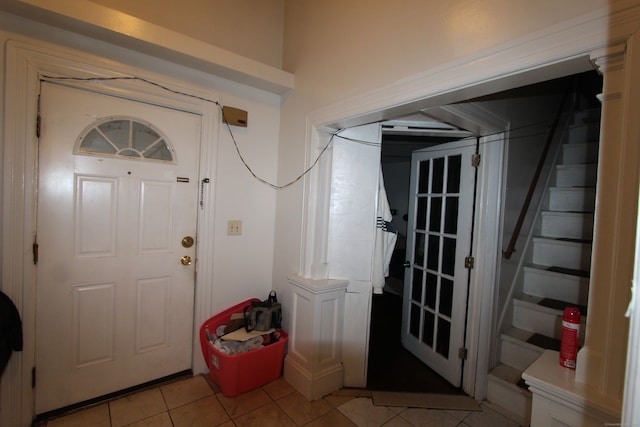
(438, 240)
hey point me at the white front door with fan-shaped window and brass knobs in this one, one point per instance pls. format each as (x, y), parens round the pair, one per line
(114, 301)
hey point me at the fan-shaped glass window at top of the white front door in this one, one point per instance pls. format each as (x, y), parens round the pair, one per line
(124, 137)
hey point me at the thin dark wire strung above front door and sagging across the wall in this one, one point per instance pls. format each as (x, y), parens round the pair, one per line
(235, 143)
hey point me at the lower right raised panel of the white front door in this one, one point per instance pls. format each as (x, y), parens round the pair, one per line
(152, 313)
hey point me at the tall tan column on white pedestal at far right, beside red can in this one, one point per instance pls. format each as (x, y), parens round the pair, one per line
(592, 394)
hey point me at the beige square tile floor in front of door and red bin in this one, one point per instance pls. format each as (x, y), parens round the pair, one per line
(195, 402)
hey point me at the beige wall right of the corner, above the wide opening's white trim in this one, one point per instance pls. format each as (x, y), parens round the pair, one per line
(339, 50)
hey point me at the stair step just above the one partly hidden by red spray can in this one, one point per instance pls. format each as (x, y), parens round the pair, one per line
(545, 282)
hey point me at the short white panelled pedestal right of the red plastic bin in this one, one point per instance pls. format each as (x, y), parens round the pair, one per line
(313, 365)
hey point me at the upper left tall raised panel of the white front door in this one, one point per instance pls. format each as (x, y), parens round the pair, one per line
(95, 226)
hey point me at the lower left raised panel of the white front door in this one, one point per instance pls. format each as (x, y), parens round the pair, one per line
(93, 324)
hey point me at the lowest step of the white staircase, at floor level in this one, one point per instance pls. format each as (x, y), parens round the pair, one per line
(502, 390)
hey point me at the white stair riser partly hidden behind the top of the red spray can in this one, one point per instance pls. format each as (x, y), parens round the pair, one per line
(539, 320)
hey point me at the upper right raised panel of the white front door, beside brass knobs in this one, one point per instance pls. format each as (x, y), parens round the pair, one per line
(156, 212)
